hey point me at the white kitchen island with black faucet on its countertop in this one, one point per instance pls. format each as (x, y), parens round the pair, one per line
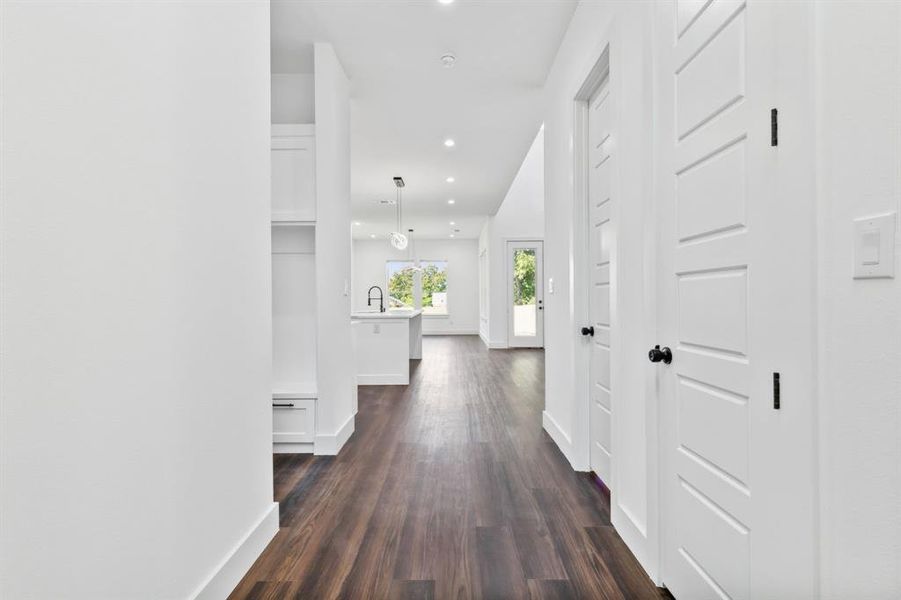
(386, 342)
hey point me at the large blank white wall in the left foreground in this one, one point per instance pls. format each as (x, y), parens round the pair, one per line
(136, 425)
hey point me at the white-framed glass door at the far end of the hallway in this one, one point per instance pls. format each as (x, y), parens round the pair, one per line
(525, 295)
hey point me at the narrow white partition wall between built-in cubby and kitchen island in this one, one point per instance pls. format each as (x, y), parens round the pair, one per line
(336, 378)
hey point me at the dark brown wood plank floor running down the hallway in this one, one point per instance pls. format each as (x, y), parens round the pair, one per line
(449, 488)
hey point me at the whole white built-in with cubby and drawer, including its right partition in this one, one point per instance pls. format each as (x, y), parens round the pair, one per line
(313, 362)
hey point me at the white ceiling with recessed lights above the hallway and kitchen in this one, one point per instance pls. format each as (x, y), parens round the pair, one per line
(405, 103)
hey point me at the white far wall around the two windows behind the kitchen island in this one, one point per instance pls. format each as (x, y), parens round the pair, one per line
(462, 255)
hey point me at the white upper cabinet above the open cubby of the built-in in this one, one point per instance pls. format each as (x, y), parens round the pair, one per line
(293, 173)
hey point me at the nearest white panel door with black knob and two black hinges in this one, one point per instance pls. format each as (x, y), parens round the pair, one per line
(737, 488)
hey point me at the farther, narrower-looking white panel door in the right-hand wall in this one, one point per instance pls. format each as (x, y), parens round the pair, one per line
(600, 243)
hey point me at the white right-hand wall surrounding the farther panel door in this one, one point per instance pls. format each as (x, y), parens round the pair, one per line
(627, 28)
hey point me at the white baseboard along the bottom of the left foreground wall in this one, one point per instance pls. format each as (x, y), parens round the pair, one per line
(236, 564)
